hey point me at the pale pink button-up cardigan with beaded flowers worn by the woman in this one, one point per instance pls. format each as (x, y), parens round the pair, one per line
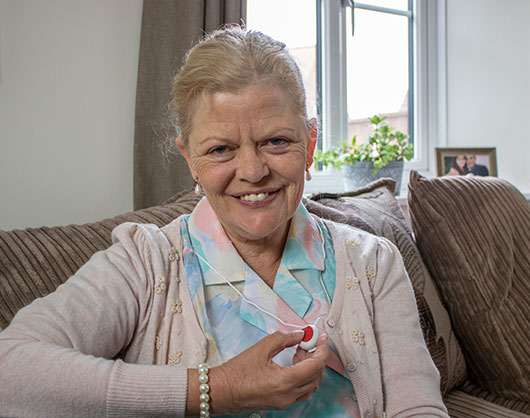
(118, 337)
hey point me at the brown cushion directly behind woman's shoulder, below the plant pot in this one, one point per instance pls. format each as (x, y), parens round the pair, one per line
(375, 209)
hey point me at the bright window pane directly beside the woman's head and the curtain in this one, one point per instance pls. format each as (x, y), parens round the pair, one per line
(294, 23)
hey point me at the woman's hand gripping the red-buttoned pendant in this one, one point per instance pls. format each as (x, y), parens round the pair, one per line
(252, 381)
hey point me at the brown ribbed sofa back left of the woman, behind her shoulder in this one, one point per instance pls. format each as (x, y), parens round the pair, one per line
(34, 261)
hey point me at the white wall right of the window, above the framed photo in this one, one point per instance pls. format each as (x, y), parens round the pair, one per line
(488, 81)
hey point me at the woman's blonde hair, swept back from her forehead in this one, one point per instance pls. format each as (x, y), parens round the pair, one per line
(229, 60)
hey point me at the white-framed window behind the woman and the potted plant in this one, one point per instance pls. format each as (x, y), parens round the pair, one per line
(392, 65)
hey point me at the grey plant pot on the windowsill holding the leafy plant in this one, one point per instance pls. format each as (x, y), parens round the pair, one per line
(362, 173)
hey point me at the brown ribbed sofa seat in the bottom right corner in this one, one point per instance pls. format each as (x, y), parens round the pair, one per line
(462, 405)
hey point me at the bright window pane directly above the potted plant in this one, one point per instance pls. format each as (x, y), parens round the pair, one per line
(378, 71)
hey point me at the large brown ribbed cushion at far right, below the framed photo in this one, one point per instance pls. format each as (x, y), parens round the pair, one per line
(474, 236)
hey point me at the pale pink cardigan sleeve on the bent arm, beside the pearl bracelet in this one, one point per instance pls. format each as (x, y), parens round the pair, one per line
(58, 355)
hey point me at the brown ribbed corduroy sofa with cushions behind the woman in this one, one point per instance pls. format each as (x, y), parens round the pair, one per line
(465, 243)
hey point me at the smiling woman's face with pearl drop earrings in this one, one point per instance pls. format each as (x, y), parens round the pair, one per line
(250, 151)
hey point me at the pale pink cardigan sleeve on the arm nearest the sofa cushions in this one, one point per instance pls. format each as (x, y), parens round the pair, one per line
(411, 382)
